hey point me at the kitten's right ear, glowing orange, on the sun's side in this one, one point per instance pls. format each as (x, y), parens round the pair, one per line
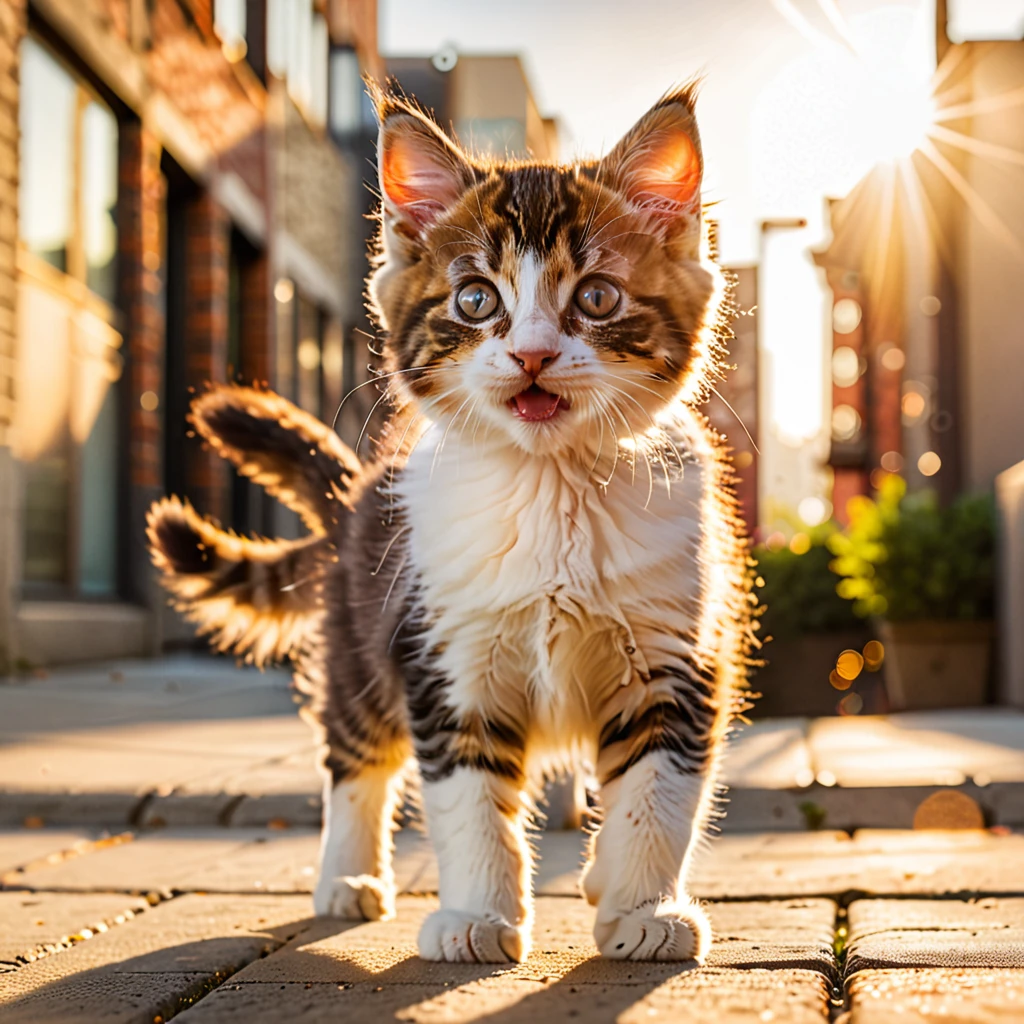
(658, 163)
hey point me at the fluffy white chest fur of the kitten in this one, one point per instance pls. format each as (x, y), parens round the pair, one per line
(535, 576)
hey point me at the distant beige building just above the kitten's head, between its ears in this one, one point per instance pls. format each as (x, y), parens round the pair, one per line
(486, 100)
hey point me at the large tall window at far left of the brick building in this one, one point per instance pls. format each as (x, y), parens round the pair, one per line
(69, 348)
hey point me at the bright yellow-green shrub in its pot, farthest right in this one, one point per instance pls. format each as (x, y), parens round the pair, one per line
(926, 574)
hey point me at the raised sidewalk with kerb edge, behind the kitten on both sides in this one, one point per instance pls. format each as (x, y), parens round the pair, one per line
(192, 741)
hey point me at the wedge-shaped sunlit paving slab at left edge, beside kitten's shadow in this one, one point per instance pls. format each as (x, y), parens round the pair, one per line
(33, 925)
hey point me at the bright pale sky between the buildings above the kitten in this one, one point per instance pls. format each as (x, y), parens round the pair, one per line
(598, 65)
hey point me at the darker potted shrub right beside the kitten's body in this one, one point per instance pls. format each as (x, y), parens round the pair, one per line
(805, 626)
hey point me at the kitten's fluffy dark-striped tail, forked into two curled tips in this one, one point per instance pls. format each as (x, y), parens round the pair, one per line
(258, 599)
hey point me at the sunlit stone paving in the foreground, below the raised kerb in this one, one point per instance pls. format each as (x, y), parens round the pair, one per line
(879, 927)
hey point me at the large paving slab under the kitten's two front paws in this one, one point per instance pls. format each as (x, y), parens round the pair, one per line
(772, 961)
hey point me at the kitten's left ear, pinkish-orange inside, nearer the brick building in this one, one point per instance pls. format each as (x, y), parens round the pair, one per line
(422, 173)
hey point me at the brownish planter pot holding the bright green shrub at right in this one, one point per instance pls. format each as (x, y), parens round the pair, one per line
(937, 665)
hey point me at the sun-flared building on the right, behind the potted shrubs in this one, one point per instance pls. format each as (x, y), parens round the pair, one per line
(925, 267)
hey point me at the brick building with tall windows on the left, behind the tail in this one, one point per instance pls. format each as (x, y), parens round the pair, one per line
(182, 200)
